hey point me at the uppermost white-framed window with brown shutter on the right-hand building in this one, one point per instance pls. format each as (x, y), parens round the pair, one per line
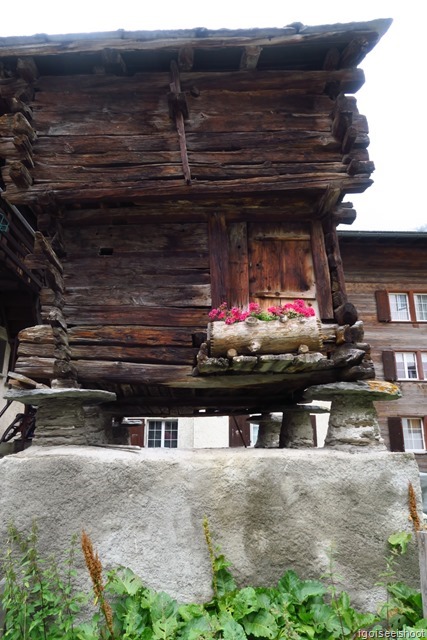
(402, 306)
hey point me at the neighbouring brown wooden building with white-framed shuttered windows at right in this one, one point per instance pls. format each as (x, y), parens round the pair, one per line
(386, 277)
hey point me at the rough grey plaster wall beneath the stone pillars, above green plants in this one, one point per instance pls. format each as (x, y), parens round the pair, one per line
(269, 510)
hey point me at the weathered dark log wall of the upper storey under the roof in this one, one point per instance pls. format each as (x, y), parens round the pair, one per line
(108, 137)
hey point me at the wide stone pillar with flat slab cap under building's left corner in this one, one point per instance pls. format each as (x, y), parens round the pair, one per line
(68, 416)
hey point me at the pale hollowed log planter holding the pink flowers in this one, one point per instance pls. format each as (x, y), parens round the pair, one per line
(275, 337)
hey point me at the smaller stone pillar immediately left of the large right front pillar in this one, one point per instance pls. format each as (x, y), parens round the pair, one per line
(297, 430)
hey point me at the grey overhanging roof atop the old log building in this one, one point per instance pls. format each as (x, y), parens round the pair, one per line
(292, 47)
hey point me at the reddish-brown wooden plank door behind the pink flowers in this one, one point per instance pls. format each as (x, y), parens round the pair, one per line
(280, 263)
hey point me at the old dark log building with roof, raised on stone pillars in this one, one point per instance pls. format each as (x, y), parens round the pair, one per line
(168, 172)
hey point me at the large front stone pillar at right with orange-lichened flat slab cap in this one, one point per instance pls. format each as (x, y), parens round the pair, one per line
(353, 418)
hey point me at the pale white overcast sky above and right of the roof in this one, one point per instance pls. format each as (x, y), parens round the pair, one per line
(392, 98)
